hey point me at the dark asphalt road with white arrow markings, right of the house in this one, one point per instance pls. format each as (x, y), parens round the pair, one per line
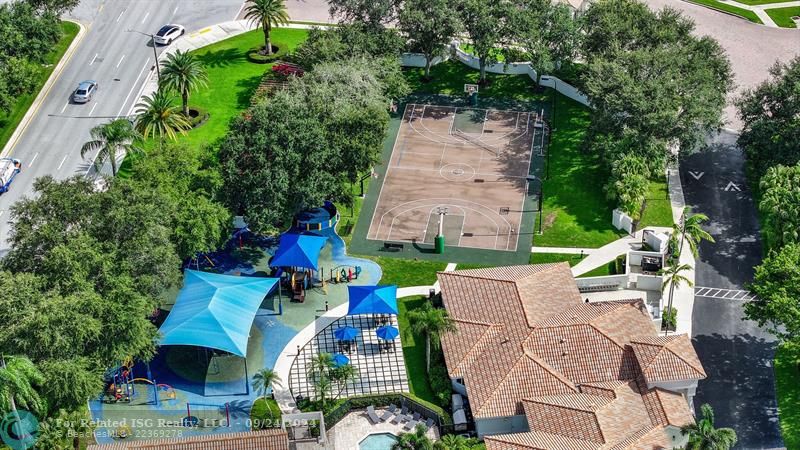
(736, 354)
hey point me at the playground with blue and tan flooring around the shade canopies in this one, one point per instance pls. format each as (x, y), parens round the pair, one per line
(188, 390)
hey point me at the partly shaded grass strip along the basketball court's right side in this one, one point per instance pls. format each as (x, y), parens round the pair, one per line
(576, 212)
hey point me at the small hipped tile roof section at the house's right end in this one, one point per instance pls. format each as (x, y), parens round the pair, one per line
(667, 358)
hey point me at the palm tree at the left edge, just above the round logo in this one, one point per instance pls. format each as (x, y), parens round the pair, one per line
(18, 376)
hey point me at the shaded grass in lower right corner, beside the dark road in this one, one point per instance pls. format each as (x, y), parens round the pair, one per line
(787, 380)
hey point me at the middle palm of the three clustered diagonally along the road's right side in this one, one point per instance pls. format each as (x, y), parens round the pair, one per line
(157, 116)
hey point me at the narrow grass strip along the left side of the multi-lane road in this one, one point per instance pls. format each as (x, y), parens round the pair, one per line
(9, 122)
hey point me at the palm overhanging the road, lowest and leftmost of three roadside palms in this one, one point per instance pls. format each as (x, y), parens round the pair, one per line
(109, 140)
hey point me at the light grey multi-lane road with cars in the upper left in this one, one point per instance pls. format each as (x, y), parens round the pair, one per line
(119, 61)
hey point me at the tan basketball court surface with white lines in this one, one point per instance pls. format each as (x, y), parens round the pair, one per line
(469, 164)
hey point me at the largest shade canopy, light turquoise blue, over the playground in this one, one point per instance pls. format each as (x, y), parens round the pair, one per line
(215, 311)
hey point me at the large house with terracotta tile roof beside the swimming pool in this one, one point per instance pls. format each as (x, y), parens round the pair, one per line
(543, 369)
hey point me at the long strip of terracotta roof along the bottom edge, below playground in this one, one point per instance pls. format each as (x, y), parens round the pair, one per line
(274, 439)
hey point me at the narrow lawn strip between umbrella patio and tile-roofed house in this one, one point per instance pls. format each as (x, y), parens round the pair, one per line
(414, 351)
